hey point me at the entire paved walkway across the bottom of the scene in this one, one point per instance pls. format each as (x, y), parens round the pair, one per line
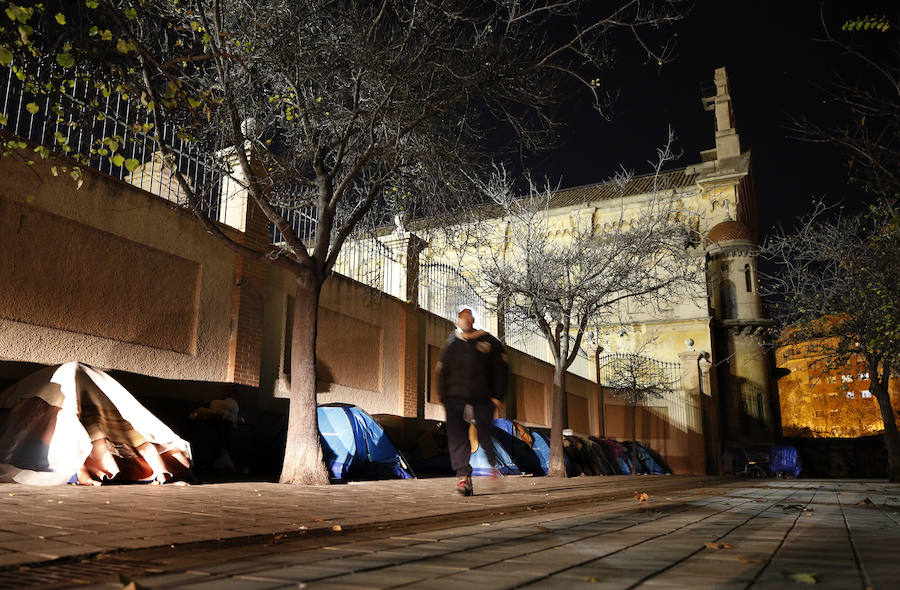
(540, 533)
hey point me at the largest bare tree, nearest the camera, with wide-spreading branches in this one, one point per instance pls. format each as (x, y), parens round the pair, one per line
(353, 111)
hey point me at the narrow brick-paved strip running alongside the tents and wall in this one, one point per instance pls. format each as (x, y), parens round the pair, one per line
(39, 524)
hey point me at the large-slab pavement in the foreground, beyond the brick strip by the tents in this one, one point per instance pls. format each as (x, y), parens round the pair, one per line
(734, 534)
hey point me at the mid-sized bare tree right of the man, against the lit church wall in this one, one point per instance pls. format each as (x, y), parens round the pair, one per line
(559, 280)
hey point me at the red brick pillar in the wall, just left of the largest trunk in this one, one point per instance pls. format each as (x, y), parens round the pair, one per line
(247, 302)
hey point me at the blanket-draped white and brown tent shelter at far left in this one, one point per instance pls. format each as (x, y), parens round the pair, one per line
(73, 422)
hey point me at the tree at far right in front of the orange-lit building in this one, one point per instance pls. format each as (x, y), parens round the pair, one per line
(835, 285)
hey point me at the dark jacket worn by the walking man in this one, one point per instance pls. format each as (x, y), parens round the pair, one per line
(473, 368)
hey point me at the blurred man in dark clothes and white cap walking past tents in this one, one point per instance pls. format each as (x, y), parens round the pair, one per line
(472, 371)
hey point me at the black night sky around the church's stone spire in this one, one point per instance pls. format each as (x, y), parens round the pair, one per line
(774, 58)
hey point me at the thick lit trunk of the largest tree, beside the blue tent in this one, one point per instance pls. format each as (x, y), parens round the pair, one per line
(303, 462)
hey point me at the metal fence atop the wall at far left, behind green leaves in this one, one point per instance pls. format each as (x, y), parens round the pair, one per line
(114, 136)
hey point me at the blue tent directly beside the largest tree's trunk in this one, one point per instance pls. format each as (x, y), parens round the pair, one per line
(356, 447)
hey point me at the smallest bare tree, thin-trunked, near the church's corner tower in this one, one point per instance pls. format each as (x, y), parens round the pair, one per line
(638, 379)
